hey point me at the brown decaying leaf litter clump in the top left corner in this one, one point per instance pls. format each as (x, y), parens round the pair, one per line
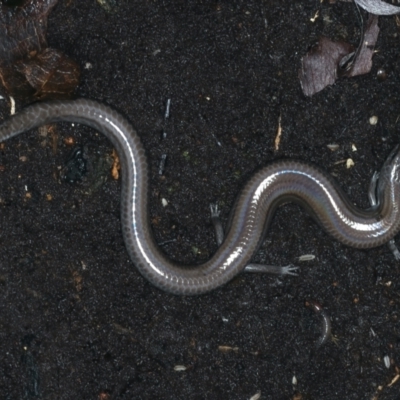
(29, 69)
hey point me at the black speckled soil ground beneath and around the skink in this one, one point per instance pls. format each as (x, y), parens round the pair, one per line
(77, 319)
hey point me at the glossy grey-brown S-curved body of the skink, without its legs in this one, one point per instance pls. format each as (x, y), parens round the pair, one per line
(275, 184)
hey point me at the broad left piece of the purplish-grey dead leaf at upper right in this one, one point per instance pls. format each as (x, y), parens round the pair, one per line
(319, 66)
